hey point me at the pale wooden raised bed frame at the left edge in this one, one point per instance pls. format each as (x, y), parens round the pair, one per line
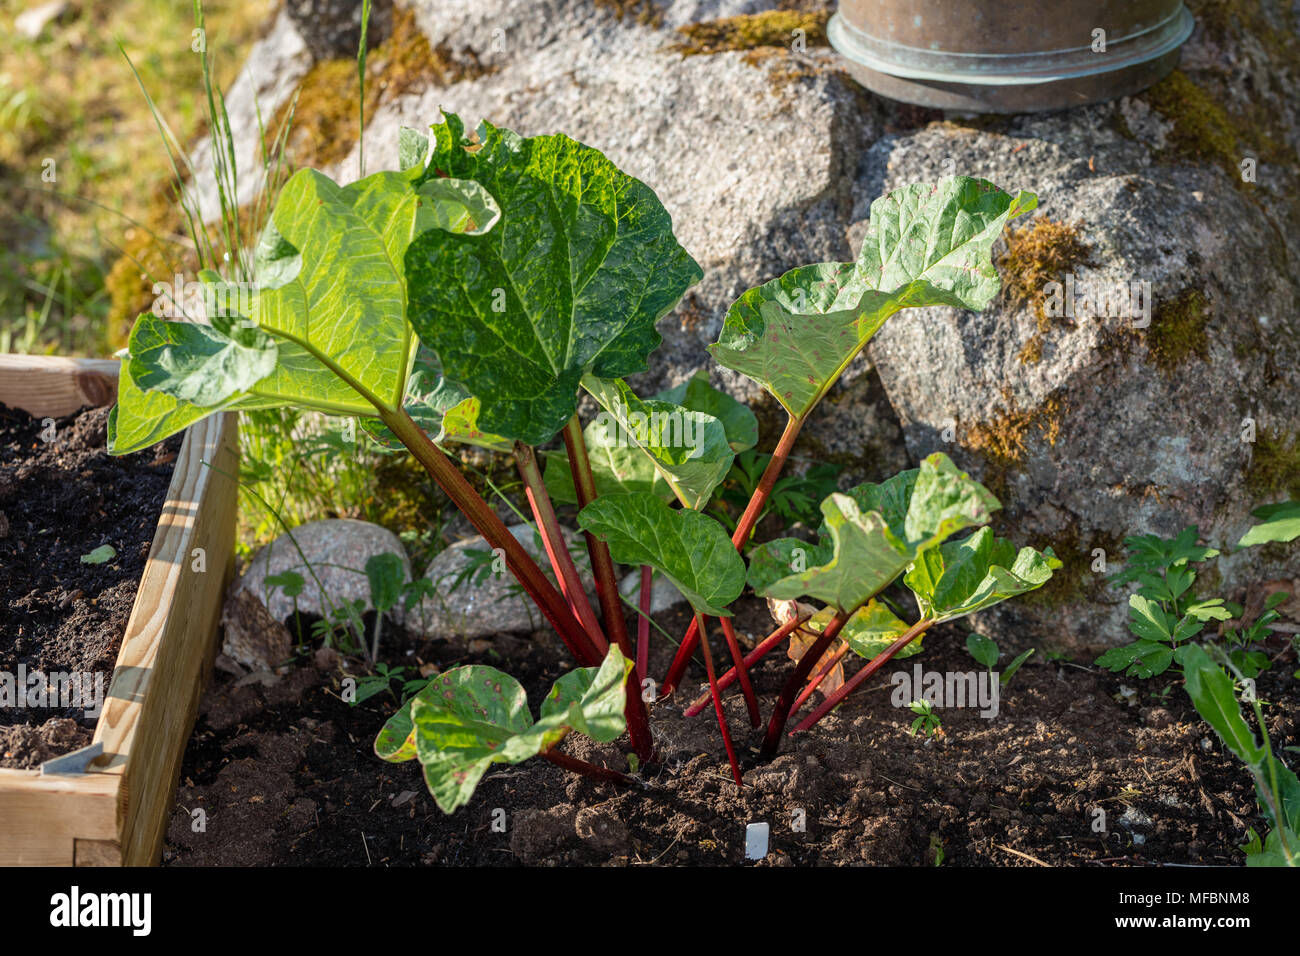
(116, 812)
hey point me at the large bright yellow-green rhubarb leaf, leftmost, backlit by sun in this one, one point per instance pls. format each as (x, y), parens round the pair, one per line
(328, 328)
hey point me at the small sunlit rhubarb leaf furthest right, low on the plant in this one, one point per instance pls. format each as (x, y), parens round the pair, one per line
(961, 578)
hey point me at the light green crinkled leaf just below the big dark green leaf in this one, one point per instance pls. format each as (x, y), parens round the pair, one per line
(690, 449)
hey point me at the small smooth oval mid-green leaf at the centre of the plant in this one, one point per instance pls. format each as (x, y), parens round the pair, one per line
(688, 548)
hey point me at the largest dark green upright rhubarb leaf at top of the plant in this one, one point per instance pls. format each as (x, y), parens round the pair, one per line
(570, 283)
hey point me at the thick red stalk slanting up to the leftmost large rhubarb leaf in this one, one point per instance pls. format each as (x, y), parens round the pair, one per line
(487, 524)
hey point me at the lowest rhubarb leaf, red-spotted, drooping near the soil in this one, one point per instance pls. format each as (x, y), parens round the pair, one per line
(473, 717)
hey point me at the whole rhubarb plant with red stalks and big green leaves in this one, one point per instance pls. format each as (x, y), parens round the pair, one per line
(474, 296)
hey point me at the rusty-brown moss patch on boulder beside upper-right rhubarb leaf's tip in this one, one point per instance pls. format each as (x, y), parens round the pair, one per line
(1041, 253)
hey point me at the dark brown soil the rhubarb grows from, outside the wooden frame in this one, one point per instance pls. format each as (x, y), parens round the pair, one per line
(1071, 772)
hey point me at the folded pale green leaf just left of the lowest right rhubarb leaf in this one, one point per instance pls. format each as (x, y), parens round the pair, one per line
(877, 533)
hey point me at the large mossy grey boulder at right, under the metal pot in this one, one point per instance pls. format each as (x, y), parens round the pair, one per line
(1091, 429)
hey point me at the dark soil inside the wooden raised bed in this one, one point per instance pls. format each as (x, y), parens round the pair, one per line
(60, 500)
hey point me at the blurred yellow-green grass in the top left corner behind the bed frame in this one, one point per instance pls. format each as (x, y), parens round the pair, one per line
(67, 97)
